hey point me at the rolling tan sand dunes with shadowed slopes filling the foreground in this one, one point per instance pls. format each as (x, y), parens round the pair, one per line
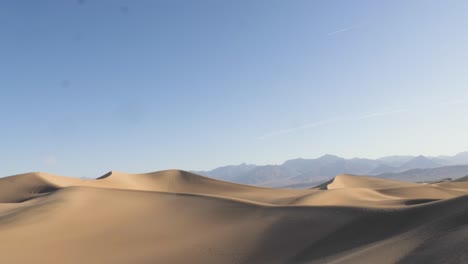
(179, 217)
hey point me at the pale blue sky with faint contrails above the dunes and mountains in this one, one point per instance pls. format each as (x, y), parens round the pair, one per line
(136, 86)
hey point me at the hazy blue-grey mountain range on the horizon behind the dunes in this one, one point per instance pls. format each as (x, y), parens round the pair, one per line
(307, 172)
